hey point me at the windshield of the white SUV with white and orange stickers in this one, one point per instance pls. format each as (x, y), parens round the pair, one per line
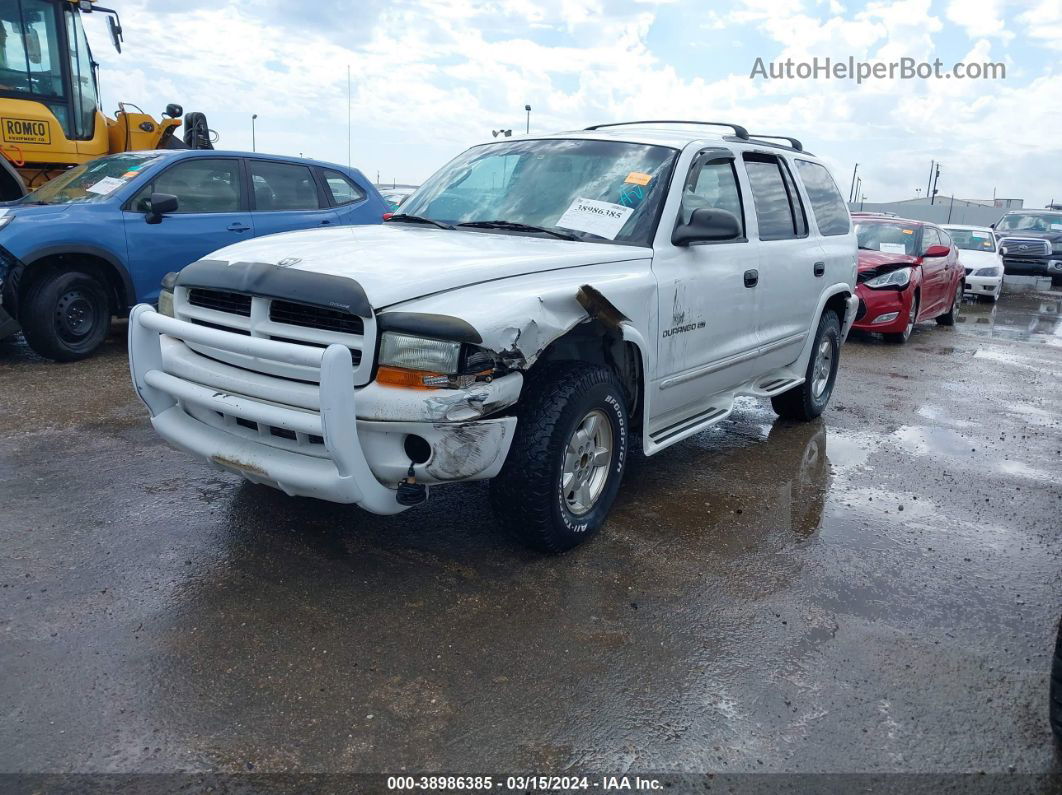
(593, 191)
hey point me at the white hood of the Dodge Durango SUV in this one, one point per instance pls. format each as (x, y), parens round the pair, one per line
(399, 263)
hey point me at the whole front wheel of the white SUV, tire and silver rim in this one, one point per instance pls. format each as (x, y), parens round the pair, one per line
(567, 460)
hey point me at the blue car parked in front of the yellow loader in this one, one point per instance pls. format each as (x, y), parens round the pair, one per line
(100, 238)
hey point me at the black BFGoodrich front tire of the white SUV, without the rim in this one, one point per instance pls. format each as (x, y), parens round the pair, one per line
(527, 495)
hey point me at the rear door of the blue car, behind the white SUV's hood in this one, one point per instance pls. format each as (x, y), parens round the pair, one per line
(286, 197)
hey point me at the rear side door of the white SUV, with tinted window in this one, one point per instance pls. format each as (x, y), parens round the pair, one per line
(790, 260)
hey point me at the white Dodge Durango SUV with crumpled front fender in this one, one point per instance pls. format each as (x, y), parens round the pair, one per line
(538, 304)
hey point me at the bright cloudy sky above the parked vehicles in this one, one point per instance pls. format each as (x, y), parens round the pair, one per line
(432, 78)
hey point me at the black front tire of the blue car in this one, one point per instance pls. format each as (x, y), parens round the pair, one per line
(45, 319)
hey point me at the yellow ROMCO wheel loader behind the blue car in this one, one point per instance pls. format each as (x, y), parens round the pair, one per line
(50, 117)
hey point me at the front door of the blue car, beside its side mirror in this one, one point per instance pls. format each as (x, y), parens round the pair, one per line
(212, 214)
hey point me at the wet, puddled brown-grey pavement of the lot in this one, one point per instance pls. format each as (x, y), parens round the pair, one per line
(875, 592)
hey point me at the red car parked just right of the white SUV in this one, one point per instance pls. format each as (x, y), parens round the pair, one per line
(910, 271)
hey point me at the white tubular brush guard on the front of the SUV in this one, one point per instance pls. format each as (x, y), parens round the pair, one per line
(342, 476)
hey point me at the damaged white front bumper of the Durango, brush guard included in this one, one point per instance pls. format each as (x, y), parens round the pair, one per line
(305, 439)
